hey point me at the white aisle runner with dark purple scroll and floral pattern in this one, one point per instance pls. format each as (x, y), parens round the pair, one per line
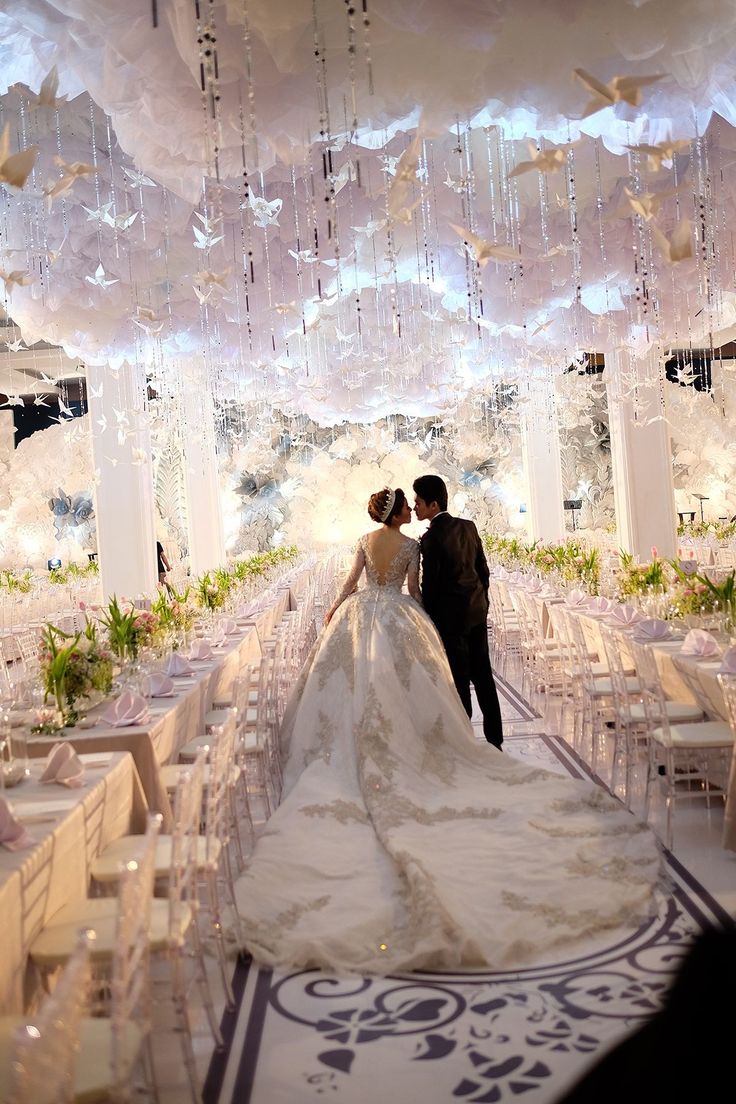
(436, 1038)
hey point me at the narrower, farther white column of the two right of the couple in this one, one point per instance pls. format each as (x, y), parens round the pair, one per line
(540, 439)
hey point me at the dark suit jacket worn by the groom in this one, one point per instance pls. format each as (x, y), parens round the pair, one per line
(454, 575)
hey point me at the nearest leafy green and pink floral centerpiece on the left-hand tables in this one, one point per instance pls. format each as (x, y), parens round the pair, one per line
(73, 667)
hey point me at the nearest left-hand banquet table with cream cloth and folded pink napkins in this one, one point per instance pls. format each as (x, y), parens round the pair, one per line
(70, 829)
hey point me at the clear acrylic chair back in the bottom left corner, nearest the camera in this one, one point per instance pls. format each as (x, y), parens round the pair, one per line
(45, 1049)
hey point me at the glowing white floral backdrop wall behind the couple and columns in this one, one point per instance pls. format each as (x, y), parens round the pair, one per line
(293, 482)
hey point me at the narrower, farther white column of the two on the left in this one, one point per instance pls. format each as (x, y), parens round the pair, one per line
(205, 523)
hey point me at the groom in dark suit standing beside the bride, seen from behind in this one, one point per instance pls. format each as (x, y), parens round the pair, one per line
(455, 595)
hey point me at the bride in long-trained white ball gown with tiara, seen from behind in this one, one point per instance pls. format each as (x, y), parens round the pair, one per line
(406, 843)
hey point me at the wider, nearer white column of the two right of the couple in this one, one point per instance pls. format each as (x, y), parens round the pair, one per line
(642, 454)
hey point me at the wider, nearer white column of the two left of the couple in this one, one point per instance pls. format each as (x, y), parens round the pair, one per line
(124, 494)
